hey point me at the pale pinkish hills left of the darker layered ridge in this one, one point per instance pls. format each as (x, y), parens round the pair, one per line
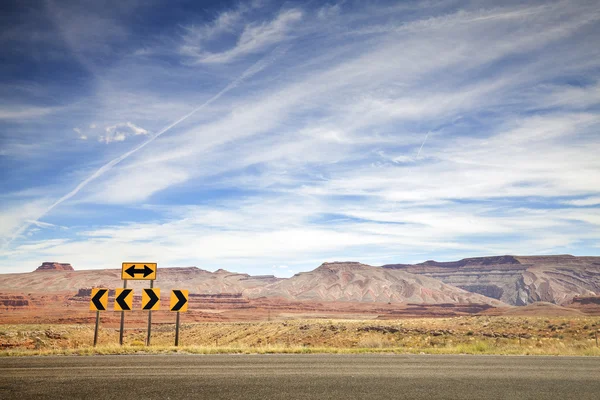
(347, 281)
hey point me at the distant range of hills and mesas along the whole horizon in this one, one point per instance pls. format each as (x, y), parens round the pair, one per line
(496, 280)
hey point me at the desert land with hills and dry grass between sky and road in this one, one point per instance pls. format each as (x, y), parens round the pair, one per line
(337, 308)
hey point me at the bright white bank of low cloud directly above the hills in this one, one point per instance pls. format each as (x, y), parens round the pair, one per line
(273, 233)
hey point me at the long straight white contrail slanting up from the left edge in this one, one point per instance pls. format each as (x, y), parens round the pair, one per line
(252, 70)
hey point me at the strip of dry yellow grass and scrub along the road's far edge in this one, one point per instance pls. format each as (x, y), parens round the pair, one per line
(460, 335)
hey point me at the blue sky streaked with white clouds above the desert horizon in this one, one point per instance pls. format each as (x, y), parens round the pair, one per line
(267, 137)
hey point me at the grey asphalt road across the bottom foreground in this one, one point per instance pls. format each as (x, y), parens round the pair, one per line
(300, 377)
